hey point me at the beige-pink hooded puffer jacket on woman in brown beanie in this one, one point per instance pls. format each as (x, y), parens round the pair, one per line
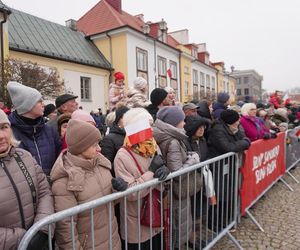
(76, 181)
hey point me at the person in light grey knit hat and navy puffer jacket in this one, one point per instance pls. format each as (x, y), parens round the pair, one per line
(29, 126)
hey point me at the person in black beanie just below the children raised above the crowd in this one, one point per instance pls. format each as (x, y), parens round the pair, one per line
(159, 98)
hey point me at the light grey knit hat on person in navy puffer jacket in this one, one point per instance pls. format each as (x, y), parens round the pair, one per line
(23, 98)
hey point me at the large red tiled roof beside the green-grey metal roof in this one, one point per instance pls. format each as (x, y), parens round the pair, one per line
(103, 17)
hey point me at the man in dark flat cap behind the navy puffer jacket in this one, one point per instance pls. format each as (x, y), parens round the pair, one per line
(65, 104)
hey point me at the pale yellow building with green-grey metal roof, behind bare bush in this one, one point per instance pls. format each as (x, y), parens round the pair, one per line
(81, 66)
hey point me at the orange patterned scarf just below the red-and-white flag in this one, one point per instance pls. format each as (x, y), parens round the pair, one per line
(146, 148)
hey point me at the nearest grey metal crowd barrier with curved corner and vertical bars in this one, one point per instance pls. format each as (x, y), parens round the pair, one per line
(213, 209)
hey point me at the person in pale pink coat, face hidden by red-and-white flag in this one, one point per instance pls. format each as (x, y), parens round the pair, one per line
(138, 162)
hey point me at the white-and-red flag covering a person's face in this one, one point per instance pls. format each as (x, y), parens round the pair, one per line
(138, 132)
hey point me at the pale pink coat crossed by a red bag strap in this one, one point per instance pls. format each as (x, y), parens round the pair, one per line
(126, 168)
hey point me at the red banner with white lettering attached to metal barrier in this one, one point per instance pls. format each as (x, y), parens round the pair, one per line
(263, 164)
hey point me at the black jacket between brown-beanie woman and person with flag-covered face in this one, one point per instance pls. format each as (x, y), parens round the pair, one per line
(111, 143)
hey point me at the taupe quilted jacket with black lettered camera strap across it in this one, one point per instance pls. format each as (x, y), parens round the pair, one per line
(11, 231)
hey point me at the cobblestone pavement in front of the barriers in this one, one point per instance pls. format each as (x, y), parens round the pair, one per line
(278, 212)
